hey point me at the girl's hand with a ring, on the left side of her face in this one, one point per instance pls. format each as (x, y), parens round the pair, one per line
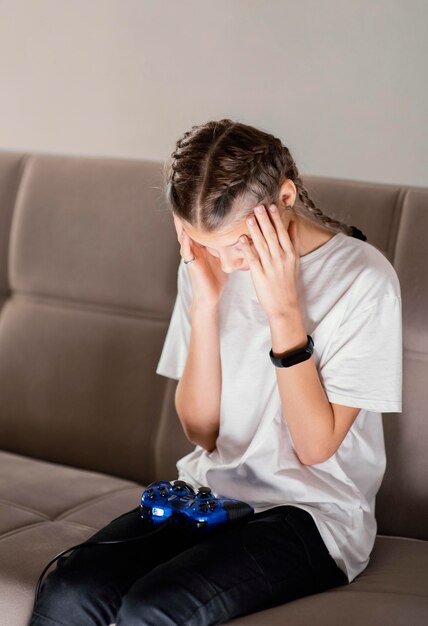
(208, 279)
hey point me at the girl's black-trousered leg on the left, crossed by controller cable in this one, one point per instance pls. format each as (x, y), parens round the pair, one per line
(87, 586)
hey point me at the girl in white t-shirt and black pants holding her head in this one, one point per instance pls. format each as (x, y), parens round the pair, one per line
(286, 342)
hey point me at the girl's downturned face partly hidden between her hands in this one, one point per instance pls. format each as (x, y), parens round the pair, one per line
(224, 245)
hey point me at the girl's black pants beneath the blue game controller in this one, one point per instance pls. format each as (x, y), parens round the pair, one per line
(172, 579)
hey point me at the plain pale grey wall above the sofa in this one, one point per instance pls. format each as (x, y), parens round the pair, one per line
(343, 83)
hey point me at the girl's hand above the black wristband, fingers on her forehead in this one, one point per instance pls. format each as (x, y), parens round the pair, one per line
(275, 262)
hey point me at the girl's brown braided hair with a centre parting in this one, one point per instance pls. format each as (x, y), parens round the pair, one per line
(221, 169)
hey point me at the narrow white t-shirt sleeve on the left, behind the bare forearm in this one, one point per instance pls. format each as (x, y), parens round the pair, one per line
(176, 345)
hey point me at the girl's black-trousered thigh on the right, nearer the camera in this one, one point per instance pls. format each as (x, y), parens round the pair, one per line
(234, 572)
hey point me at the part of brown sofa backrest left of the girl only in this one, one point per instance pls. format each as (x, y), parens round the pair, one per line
(88, 281)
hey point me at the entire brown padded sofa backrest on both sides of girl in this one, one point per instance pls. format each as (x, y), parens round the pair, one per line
(88, 276)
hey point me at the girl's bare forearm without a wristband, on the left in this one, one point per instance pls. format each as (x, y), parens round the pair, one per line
(197, 397)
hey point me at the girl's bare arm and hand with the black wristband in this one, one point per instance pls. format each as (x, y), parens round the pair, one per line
(316, 426)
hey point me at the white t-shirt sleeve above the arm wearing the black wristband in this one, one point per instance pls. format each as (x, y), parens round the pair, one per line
(363, 368)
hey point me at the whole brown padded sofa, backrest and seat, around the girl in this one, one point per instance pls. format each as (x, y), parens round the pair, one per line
(88, 268)
